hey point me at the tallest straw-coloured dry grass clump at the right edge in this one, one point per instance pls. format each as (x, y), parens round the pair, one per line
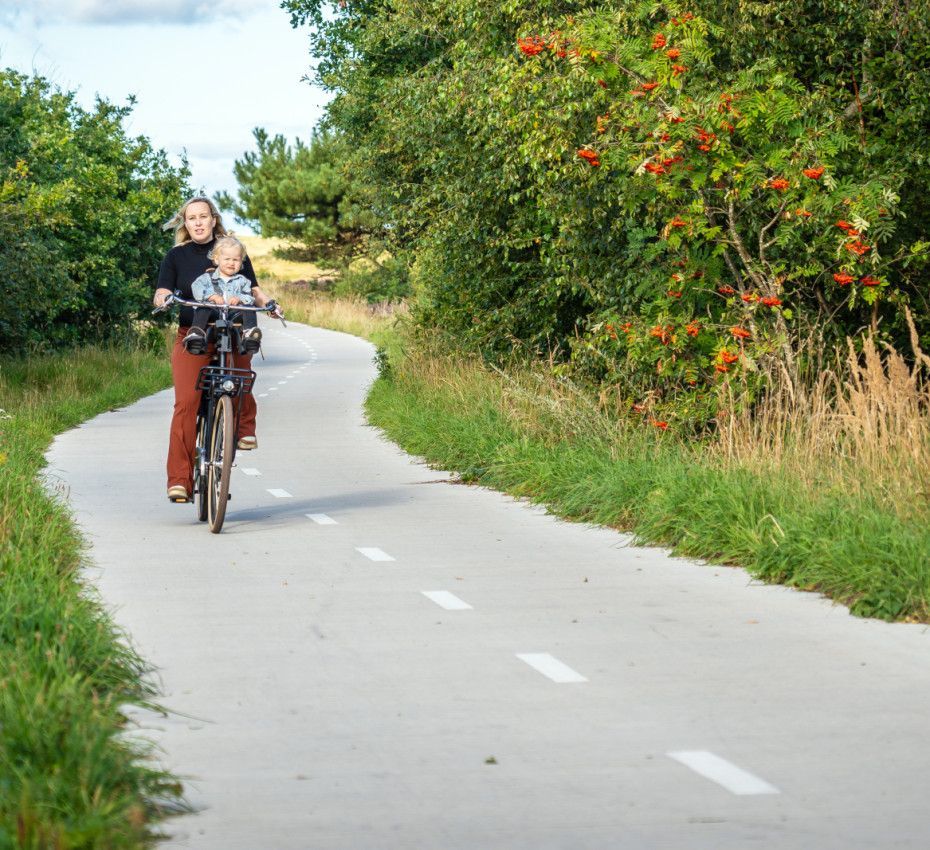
(862, 423)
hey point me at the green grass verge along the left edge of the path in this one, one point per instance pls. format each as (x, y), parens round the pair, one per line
(69, 776)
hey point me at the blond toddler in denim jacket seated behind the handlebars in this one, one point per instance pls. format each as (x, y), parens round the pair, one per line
(224, 285)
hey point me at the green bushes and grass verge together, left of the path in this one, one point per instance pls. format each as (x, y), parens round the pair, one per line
(81, 208)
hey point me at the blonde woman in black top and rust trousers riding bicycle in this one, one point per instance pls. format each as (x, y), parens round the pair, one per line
(197, 225)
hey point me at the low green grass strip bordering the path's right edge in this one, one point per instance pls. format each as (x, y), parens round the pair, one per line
(845, 542)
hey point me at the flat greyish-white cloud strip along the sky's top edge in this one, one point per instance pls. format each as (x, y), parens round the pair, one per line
(54, 12)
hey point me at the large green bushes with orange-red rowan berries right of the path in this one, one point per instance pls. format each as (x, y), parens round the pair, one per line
(666, 196)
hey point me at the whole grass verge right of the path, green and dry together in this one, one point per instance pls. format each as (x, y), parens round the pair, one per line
(826, 487)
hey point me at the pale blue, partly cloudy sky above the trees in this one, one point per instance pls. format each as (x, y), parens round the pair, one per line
(204, 74)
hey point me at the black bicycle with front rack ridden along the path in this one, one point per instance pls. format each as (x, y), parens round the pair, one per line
(220, 383)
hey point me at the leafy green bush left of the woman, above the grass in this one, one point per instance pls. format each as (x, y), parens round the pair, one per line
(81, 207)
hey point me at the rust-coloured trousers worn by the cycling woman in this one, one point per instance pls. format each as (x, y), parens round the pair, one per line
(185, 368)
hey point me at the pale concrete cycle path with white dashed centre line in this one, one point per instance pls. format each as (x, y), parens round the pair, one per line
(370, 657)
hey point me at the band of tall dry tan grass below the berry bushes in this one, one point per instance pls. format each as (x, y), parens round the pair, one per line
(857, 422)
